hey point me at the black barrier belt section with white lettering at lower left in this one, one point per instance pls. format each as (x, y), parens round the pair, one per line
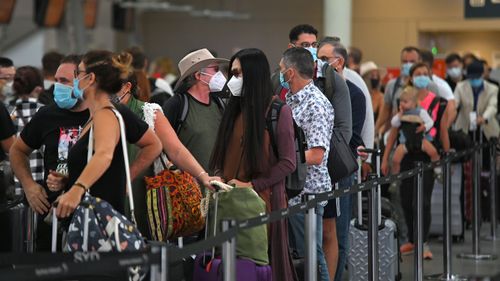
(96, 265)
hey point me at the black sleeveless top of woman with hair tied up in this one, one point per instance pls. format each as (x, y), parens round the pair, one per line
(111, 185)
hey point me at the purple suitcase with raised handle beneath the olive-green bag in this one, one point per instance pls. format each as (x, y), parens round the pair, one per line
(208, 267)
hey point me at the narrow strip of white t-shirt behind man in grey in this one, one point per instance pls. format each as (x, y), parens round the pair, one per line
(368, 131)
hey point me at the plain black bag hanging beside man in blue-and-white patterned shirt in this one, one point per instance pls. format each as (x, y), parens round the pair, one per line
(341, 160)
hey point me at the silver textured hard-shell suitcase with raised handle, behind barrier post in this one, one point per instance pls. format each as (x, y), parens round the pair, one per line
(388, 246)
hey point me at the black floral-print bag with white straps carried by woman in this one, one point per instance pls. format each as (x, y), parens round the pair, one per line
(96, 225)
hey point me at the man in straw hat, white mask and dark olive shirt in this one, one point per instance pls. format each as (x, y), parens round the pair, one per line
(194, 111)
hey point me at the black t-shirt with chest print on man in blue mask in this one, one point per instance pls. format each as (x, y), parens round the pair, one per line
(58, 130)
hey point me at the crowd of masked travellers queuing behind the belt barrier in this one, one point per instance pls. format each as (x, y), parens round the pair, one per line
(211, 121)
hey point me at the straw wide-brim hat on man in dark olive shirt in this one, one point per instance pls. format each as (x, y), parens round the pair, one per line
(195, 61)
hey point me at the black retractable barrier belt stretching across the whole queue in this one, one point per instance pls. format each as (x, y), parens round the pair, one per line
(46, 266)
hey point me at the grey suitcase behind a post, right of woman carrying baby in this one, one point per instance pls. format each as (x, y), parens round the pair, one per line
(457, 226)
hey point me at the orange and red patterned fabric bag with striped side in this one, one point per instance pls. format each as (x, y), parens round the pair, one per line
(173, 203)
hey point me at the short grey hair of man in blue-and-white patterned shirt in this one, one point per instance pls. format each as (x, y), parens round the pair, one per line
(301, 60)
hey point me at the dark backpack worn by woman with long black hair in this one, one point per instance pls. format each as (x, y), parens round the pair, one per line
(294, 182)
